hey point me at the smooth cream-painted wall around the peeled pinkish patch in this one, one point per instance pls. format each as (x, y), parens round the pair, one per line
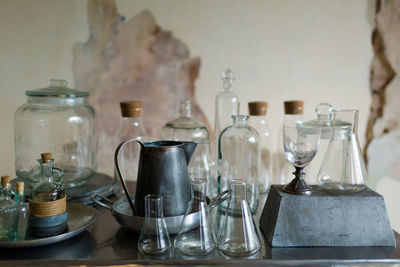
(315, 50)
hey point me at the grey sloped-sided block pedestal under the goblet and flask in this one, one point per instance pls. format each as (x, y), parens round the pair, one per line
(324, 219)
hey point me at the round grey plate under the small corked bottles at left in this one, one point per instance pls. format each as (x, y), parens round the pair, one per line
(80, 217)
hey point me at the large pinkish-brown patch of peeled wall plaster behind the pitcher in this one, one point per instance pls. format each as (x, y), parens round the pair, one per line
(132, 60)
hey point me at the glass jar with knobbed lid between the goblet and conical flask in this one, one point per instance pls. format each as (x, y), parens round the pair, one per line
(324, 120)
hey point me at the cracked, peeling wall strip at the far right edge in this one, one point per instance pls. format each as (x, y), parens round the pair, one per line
(382, 149)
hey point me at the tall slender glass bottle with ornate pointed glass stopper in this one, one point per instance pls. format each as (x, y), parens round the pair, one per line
(226, 105)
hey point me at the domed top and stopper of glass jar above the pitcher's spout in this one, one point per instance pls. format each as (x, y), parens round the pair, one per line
(185, 128)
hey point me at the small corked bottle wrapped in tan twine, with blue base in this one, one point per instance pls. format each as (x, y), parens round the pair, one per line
(47, 207)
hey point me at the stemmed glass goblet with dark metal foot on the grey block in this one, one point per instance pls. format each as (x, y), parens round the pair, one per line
(300, 143)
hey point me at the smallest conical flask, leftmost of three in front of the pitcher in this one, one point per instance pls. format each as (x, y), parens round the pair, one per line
(154, 237)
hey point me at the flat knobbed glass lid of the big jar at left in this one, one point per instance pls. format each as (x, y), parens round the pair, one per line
(57, 88)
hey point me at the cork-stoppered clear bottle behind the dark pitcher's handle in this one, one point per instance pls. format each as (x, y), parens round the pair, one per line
(130, 126)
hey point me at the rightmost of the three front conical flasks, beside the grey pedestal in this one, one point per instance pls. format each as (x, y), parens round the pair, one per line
(239, 236)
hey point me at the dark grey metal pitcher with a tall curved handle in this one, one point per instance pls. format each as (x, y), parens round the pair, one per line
(162, 170)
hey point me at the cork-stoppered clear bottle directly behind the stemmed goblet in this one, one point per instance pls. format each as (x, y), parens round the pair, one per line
(293, 113)
